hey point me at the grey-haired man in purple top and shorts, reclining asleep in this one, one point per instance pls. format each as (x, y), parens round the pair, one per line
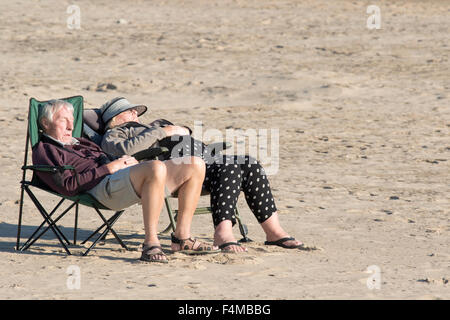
(119, 183)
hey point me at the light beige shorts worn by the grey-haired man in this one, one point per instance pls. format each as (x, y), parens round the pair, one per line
(115, 191)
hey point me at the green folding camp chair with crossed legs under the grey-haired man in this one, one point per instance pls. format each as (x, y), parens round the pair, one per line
(27, 186)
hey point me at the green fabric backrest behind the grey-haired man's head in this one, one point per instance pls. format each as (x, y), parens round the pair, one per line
(33, 117)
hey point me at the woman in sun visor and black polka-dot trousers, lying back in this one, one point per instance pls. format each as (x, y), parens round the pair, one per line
(225, 178)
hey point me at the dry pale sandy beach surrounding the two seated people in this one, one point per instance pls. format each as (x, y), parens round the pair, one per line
(364, 148)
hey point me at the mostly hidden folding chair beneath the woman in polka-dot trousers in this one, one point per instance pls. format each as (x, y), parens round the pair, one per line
(94, 128)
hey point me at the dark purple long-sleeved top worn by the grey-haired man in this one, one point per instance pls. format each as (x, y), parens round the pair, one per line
(84, 157)
